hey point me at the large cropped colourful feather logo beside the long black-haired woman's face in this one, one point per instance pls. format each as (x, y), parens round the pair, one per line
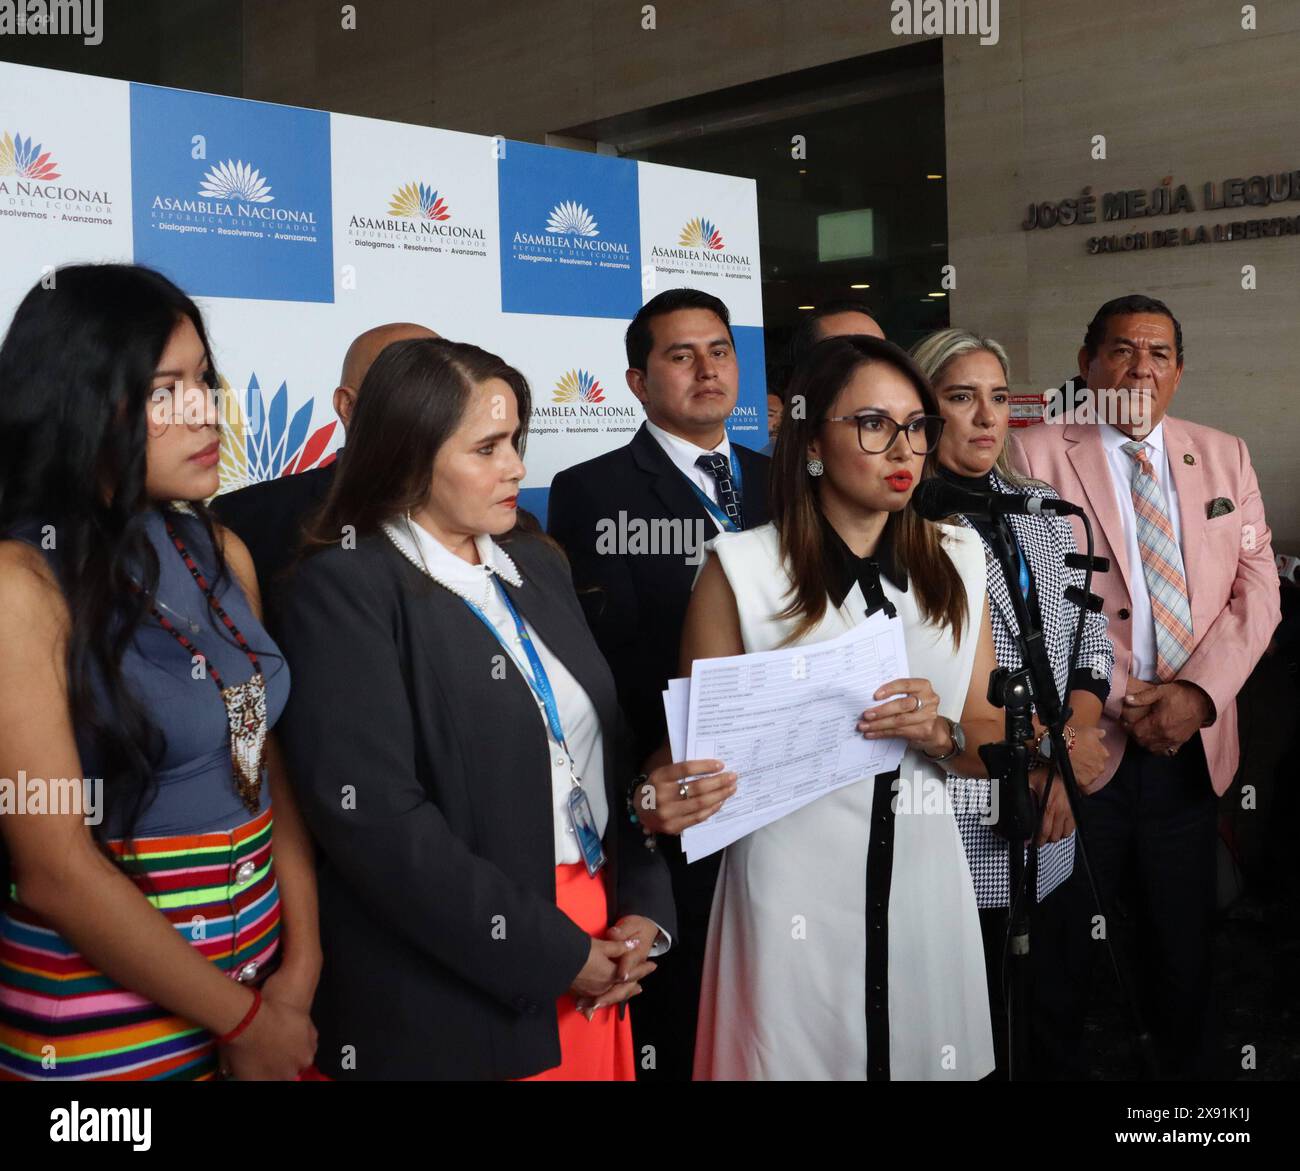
(265, 443)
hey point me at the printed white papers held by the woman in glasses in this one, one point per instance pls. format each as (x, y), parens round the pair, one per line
(786, 723)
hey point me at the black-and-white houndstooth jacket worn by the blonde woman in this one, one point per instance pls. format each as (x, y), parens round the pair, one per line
(1045, 541)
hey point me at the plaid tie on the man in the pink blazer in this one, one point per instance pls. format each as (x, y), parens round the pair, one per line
(1162, 567)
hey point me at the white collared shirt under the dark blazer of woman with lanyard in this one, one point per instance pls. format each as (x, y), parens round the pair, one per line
(578, 715)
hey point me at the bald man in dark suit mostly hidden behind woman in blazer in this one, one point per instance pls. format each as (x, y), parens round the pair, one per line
(270, 517)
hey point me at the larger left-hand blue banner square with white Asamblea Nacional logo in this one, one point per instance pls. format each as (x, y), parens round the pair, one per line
(250, 216)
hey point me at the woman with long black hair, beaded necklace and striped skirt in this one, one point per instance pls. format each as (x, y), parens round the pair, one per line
(161, 923)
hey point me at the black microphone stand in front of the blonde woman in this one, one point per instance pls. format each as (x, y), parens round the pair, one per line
(1008, 766)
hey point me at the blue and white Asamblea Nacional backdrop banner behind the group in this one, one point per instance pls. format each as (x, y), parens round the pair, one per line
(297, 229)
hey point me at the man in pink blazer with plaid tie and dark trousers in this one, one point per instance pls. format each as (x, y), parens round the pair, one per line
(1193, 600)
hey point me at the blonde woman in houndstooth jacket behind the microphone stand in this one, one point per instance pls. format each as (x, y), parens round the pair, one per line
(970, 378)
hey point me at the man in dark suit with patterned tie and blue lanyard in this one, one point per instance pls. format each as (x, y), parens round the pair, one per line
(632, 522)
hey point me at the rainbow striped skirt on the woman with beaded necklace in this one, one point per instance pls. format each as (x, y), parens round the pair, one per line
(63, 1020)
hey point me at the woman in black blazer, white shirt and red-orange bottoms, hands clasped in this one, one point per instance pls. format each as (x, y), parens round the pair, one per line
(453, 709)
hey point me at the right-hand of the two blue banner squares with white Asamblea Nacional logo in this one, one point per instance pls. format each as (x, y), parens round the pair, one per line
(570, 233)
